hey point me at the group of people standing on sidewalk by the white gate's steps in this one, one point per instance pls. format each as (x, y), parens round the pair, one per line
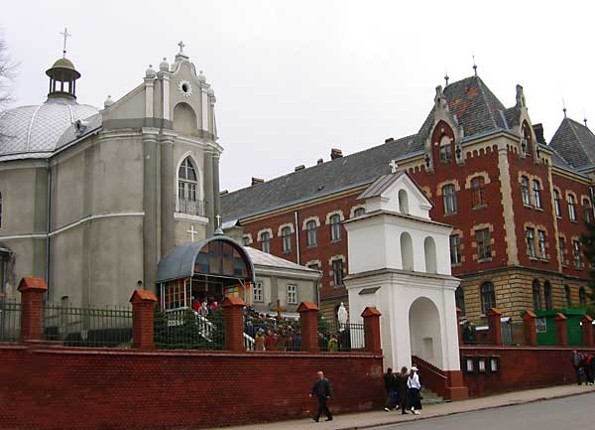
(403, 389)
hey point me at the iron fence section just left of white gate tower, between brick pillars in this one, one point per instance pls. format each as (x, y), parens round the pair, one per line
(334, 336)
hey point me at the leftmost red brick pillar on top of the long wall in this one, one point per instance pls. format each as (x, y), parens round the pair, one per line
(32, 291)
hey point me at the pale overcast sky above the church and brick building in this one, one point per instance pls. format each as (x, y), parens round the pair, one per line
(295, 79)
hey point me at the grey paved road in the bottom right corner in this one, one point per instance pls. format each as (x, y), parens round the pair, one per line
(570, 413)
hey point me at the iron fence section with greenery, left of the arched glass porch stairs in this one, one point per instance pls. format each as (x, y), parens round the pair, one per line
(187, 329)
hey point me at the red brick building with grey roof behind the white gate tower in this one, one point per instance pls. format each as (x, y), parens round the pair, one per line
(516, 202)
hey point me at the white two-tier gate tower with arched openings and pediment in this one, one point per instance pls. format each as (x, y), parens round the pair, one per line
(400, 265)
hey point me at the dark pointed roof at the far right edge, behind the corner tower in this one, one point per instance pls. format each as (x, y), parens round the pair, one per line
(575, 143)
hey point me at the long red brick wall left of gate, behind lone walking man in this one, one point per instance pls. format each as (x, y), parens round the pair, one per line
(46, 387)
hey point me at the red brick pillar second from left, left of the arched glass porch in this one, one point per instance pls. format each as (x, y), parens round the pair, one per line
(143, 315)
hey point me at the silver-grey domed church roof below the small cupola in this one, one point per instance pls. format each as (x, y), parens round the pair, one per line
(34, 131)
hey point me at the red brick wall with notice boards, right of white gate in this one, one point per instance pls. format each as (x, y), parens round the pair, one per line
(517, 368)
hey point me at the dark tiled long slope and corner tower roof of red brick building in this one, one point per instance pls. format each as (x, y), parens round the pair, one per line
(476, 109)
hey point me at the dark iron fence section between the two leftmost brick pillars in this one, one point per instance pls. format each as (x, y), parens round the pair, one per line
(88, 327)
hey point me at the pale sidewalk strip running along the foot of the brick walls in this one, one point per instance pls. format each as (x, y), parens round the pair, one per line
(377, 418)
